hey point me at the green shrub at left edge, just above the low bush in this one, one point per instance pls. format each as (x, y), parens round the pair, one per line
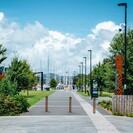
(7, 87)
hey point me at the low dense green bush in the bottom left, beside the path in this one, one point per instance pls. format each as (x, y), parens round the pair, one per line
(10, 105)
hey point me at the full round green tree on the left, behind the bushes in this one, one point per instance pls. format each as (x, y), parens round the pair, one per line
(20, 72)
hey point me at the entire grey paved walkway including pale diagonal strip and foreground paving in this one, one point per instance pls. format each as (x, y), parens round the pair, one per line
(59, 120)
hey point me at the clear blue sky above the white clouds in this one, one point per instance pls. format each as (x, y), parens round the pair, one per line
(69, 16)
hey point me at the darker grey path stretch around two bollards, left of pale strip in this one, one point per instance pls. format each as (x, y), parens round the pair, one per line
(58, 104)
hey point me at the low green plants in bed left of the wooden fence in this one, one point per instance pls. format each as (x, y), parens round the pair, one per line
(107, 104)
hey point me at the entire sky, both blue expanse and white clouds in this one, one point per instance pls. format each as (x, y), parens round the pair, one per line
(64, 30)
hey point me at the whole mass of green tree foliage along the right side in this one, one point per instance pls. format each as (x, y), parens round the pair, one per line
(105, 72)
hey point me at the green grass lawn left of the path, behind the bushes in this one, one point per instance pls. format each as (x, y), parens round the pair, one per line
(35, 96)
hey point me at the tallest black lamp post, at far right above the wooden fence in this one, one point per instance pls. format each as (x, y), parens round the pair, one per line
(125, 43)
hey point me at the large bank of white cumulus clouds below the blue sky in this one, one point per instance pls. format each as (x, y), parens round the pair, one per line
(35, 43)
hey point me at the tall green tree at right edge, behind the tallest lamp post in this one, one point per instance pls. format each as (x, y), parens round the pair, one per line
(117, 45)
